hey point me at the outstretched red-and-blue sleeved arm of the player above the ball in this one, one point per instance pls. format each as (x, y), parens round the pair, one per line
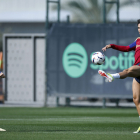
(121, 48)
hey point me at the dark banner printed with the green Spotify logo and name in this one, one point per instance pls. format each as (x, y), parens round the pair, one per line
(70, 71)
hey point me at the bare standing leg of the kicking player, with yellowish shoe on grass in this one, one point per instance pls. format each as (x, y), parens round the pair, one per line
(136, 97)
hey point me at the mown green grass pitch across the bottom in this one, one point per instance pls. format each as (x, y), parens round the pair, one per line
(68, 123)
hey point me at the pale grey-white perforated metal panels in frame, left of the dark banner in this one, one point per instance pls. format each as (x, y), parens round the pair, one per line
(24, 67)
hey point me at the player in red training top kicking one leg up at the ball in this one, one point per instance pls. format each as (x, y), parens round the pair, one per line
(133, 71)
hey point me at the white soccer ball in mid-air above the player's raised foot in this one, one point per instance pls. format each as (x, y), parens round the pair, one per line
(98, 58)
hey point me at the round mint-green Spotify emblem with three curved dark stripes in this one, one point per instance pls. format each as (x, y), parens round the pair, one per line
(75, 60)
